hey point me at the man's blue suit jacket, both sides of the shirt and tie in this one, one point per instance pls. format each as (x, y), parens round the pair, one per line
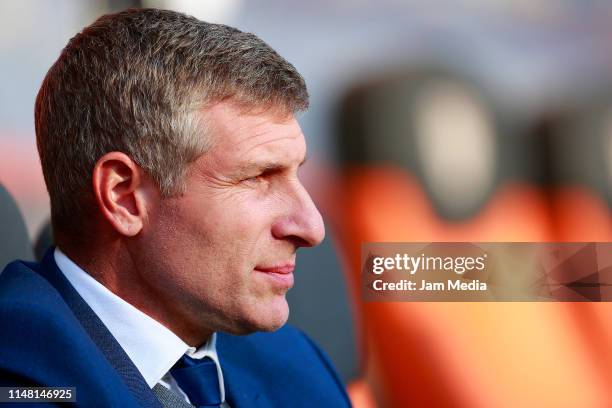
(49, 336)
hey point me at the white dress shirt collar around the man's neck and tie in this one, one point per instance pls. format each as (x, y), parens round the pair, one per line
(152, 347)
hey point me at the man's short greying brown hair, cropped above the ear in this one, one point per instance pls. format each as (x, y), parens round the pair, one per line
(133, 82)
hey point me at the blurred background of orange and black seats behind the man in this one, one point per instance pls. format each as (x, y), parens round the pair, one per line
(464, 120)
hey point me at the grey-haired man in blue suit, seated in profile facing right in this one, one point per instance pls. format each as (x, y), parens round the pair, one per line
(170, 151)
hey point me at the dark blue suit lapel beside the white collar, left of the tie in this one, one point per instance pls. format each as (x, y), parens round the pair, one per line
(99, 333)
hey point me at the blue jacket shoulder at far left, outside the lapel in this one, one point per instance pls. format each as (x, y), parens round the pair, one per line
(43, 343)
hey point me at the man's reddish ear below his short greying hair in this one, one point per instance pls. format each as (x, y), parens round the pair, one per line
(120, 190)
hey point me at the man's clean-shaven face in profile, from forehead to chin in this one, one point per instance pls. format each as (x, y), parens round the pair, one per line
(222, 254)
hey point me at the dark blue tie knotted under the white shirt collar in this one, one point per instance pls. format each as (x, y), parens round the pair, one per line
(198, 379)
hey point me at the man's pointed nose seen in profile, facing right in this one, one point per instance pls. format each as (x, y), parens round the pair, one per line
(301, 223)
